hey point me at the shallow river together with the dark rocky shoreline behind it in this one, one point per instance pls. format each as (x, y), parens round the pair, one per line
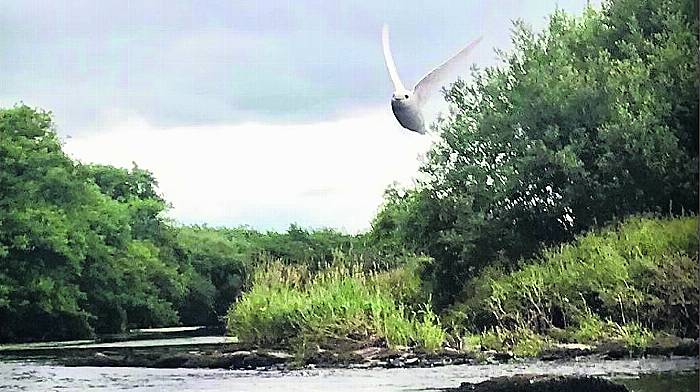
(225, 362)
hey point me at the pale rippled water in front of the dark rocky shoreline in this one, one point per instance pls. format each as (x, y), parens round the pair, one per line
(41, 376)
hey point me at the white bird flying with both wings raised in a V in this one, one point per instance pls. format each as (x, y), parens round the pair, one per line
(407, 105)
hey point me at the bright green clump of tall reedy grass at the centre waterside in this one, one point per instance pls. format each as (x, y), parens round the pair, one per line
(287, 305)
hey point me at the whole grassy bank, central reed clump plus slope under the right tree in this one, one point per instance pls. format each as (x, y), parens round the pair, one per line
(629, 284)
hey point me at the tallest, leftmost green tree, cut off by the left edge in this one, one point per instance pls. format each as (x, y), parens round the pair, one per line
(43, 230)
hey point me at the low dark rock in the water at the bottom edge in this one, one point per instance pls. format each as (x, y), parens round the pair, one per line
(543, 384)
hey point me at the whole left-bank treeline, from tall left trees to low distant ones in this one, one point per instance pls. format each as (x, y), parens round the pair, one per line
(85, 248)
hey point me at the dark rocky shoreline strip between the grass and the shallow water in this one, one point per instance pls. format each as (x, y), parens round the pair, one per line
(216, 352)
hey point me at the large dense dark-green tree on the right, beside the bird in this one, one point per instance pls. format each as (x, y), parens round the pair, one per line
(592, 120)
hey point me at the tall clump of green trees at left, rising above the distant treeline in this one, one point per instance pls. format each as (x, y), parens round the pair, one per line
(82, 249)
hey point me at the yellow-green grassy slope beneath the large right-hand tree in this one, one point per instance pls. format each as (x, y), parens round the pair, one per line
(620, 283)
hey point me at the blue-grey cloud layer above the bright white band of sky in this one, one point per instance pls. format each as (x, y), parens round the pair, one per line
(185, 63)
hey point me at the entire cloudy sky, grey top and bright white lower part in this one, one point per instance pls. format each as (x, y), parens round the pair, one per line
(261, 113)
